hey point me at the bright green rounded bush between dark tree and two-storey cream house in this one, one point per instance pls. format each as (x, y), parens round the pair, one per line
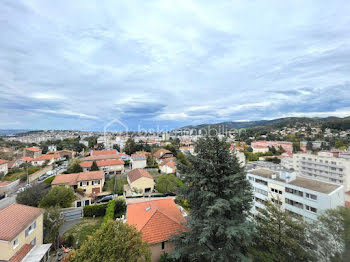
(58, 196)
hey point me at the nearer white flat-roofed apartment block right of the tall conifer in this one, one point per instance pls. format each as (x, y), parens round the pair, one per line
(297, 195)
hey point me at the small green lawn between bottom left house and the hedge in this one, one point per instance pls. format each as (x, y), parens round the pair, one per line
(81, 231)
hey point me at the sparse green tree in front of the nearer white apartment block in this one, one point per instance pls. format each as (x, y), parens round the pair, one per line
(280, 237)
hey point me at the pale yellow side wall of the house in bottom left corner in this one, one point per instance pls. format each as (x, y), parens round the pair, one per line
(6, 247)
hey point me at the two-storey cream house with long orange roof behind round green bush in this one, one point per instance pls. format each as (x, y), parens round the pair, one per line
(89, 184)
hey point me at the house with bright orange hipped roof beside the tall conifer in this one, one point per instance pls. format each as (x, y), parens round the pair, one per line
(157, 220)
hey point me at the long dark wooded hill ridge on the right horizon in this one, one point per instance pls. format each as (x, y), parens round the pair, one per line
(272, 124)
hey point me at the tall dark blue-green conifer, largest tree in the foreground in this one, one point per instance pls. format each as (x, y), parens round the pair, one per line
(220, 198)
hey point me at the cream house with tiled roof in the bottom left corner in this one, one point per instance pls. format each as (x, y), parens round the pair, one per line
(21, 234)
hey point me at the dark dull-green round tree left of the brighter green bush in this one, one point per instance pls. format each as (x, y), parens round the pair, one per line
(33, 195)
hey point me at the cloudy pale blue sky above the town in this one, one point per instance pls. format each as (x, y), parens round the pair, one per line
(95, 65)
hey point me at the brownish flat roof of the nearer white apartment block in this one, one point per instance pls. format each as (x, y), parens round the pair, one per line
(315, 185)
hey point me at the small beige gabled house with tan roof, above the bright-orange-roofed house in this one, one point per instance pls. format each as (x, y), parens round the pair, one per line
(139, 181)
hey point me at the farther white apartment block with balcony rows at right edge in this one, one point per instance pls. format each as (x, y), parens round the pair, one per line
(323, 166)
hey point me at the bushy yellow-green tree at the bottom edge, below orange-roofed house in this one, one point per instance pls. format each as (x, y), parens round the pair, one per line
(113, 242)
